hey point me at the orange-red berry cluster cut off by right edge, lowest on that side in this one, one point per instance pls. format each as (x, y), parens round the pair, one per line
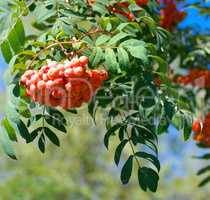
(202, 130)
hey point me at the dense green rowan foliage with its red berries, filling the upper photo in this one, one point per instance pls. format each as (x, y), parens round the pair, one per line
(88, 42)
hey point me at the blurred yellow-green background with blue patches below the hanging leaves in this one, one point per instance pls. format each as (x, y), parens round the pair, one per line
(82, 169)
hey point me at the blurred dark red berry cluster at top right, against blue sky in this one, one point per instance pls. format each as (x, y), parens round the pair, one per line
(170, 16)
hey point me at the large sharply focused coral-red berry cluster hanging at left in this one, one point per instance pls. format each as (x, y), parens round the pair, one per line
(67, 85)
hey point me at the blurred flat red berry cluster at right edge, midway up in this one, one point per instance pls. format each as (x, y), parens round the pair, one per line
(196, 77)
